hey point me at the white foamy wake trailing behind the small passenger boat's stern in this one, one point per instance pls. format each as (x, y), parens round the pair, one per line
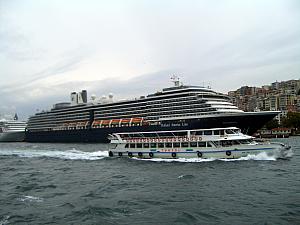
(72, 154)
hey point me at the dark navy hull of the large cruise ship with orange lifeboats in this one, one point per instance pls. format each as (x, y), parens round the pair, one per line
(247, 122)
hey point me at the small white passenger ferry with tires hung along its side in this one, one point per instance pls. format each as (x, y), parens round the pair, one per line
(217, 143)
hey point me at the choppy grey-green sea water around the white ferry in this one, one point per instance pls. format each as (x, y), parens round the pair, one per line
(80, 184)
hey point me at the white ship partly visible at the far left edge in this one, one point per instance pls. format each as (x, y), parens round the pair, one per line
(12, 130)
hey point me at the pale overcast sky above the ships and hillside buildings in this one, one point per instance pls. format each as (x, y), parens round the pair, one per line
(50, 48)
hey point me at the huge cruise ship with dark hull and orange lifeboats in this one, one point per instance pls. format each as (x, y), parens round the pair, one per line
(180, 107)
